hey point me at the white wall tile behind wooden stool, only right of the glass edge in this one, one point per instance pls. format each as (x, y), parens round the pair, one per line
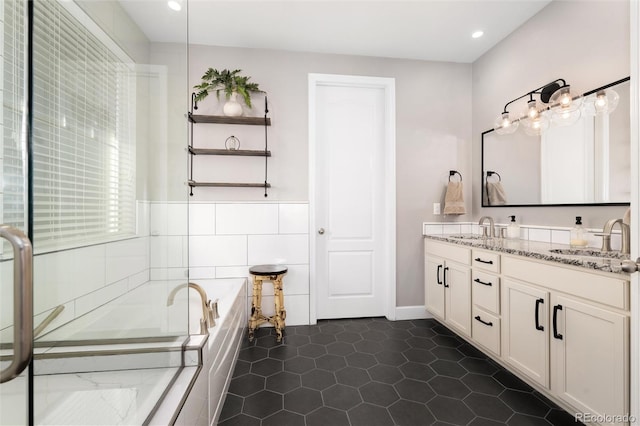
(247, 234)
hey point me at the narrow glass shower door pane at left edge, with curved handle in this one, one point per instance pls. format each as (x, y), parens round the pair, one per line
(14, 394)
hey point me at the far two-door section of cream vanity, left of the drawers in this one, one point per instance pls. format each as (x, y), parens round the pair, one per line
(448, 284)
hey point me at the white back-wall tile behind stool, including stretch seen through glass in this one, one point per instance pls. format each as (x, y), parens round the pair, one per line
(223, 239)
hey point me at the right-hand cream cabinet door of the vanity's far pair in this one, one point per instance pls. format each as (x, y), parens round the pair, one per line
(457, 283)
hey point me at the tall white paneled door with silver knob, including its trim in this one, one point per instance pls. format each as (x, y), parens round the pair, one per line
(351, 215)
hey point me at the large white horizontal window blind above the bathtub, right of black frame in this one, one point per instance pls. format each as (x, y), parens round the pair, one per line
(83, 131)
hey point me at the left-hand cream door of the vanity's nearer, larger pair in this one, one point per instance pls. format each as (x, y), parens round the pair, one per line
(525, 335)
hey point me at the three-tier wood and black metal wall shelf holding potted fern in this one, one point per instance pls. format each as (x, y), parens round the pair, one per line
(218, 119)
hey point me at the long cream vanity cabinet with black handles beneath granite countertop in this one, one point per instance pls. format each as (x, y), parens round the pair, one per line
(561, 328)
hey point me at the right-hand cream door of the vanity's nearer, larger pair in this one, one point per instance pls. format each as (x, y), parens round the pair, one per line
(589, 364)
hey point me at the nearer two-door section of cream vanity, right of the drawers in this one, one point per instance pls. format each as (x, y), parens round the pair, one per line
(558, 333)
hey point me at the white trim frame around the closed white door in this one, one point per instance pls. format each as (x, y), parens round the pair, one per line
(389, 237)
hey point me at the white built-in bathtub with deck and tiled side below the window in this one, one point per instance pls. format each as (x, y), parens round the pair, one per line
(166, 380)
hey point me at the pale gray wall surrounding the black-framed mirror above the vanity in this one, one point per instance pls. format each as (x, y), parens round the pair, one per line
(584, 42)
